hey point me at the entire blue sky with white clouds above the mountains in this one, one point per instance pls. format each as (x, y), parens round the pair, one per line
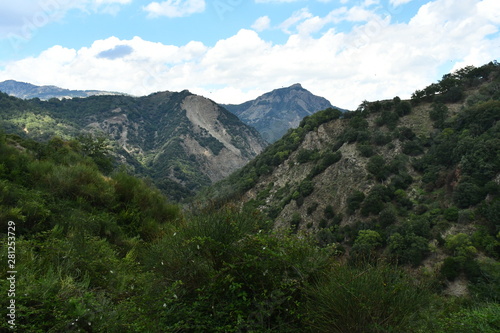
(232, 51)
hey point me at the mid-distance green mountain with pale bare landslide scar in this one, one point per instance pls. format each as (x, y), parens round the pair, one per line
(181, 140)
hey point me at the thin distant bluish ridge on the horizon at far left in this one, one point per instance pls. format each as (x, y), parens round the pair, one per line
(28, 91)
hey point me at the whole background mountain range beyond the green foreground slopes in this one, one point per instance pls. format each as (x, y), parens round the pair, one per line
(181, 140)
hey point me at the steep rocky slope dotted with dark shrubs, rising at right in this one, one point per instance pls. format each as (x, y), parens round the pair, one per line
(403, 180)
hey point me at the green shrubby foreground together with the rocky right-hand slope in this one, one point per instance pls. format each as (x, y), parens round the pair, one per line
(385, 219)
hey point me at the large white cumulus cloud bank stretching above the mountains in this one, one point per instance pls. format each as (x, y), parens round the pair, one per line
(377, 59)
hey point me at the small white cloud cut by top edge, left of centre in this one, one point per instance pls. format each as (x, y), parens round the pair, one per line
(175, 8)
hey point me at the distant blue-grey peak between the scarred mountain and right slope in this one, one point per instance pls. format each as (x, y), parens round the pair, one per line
(275, 112)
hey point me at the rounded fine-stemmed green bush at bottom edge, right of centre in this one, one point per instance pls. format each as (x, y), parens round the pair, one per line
(364, 299)
